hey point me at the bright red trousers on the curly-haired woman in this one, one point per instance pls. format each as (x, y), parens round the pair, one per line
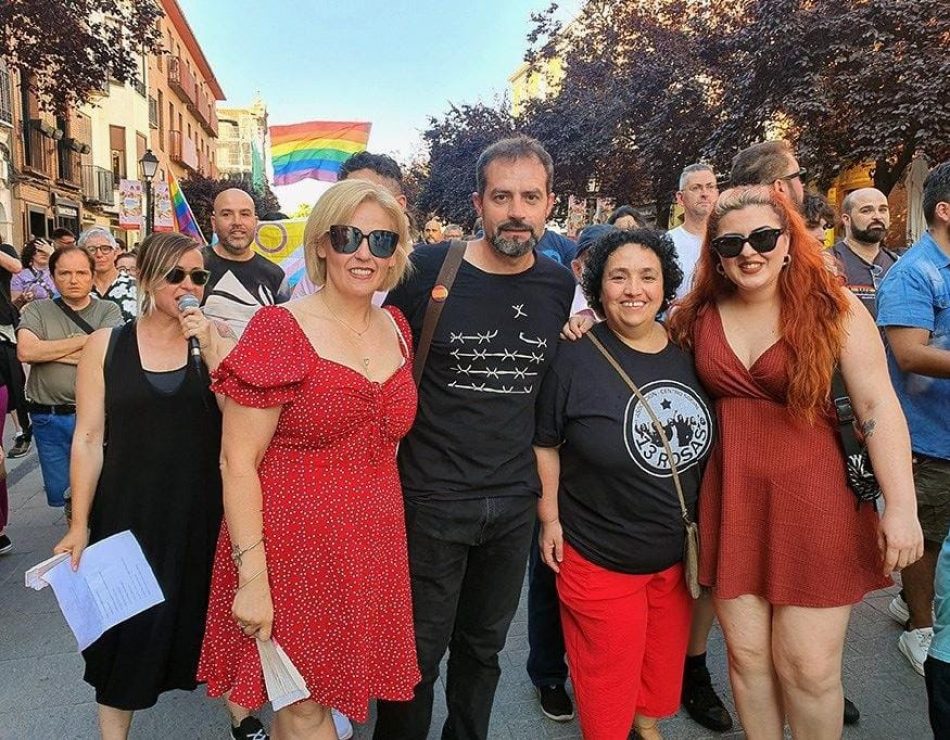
(626, 638)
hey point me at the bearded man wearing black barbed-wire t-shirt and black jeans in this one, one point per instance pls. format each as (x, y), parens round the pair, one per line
(467, 467)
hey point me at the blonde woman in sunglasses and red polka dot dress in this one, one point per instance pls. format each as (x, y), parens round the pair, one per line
(313, 550)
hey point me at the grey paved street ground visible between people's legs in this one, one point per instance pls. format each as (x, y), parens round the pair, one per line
(43, 697)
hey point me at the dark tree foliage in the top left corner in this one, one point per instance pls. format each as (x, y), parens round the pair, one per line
(71, 47)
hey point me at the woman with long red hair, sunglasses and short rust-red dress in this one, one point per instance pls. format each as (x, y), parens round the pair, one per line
(784, 546)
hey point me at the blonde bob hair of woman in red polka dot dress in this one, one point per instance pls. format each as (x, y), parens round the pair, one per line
(336, 207)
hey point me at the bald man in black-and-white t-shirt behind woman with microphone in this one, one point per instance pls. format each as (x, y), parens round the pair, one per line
(241, 280)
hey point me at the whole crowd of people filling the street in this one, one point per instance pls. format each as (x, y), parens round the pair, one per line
(643, 423)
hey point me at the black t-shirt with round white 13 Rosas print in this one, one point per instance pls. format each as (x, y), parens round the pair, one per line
(617, 502)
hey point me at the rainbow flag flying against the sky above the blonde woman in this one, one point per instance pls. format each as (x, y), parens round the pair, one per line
(315, 149)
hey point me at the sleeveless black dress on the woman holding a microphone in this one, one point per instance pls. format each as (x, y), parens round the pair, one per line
(160, 479)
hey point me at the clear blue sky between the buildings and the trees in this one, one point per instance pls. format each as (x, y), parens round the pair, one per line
(393, 63)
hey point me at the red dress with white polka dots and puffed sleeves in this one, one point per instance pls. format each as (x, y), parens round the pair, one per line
(334, 525)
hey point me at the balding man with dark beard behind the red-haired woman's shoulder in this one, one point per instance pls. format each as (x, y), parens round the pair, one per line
(862, 259)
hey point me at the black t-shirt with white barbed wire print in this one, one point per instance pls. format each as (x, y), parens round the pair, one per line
(473, 430)
